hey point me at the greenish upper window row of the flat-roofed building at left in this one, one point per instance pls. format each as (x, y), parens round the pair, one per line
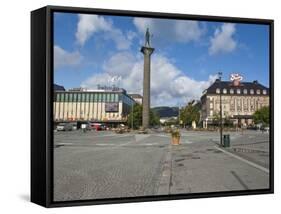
(86, 97)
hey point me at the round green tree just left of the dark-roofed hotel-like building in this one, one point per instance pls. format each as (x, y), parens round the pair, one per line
(190, 113)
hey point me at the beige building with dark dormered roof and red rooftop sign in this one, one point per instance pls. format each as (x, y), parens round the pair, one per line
(240, 100)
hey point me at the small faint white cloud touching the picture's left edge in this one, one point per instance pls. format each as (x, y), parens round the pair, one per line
(65, 58)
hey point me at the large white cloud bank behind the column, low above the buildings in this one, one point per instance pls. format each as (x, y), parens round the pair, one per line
(169, 85)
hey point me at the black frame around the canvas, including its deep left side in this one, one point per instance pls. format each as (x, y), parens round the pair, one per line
(42, 96)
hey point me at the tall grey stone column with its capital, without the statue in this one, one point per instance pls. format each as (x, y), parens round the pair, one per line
(147, 51)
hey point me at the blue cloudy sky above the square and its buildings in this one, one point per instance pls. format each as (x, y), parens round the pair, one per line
(91, 50)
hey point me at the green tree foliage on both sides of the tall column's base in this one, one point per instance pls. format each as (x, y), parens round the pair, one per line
(137, 117)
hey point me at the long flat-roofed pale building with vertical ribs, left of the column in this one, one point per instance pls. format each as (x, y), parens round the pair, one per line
(107, 105)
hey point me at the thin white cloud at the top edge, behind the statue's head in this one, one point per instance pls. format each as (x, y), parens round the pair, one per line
(170, 30)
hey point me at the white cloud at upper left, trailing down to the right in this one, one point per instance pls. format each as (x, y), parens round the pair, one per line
(88, 25)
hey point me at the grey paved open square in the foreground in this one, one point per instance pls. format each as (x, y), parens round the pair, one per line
(95, 165)
